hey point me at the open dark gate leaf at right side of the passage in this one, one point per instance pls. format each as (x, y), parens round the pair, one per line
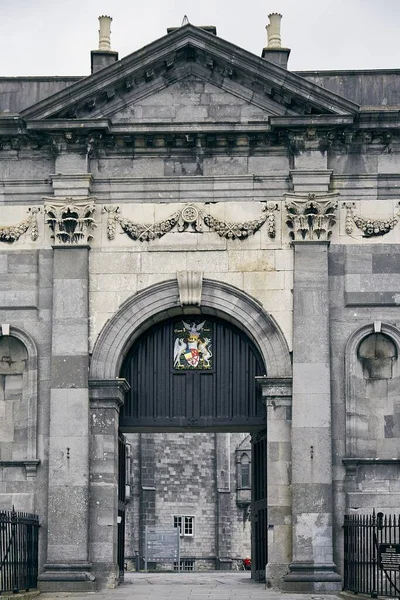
(259, 504)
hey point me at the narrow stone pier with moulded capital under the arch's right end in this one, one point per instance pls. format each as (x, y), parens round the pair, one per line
(277, 395)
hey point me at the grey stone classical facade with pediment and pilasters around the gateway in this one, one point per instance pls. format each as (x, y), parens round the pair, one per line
(194, 179)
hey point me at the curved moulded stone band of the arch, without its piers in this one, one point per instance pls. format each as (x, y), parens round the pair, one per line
(161, 301)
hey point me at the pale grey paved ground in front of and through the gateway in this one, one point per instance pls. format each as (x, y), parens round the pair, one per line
(188, 586)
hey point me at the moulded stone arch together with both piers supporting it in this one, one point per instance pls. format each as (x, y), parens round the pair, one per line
(134, 317)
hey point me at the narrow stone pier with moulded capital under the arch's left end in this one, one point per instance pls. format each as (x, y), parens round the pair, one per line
(106, 398)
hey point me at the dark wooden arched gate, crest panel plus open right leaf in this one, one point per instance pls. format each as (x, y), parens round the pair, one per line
(198, 373)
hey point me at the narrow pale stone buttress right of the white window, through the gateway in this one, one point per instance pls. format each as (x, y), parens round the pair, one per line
(223, 495)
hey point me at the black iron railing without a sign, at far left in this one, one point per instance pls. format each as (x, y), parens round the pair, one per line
(19, 534)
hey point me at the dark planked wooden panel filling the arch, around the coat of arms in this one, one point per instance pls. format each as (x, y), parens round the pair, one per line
(166, 396)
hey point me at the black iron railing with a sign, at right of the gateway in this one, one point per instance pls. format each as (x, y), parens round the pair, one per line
(365, 571)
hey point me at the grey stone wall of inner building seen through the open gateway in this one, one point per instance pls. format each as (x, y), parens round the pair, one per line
(183, 468)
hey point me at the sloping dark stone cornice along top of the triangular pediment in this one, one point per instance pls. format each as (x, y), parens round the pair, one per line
(170, 58)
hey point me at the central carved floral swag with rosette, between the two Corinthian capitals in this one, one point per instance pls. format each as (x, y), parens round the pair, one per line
(189, 218)
